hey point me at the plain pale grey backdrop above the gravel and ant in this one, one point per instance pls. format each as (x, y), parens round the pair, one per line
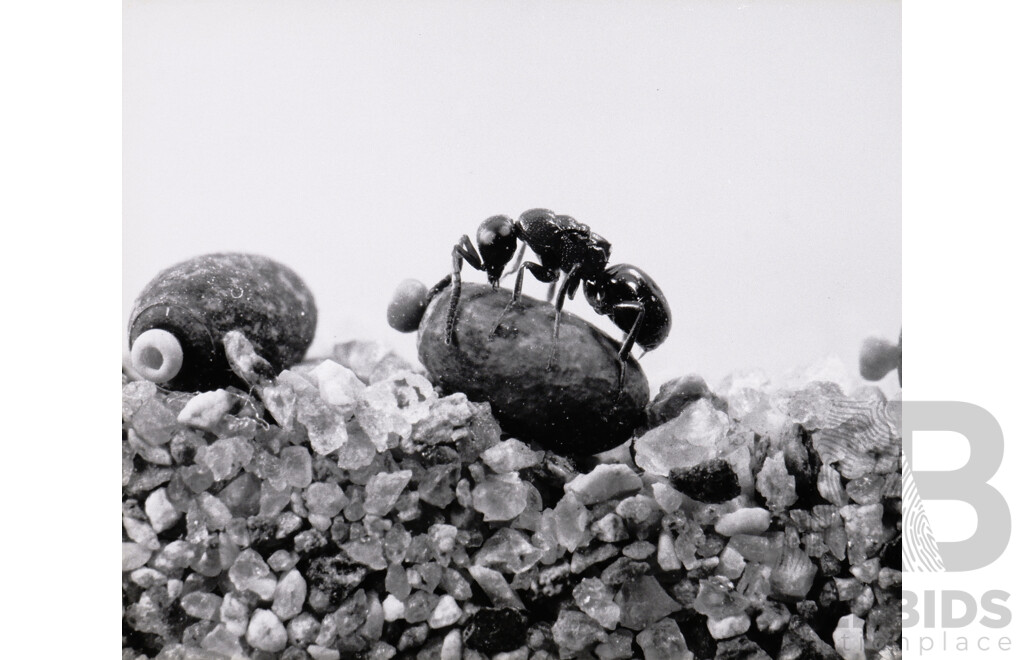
(745, 155)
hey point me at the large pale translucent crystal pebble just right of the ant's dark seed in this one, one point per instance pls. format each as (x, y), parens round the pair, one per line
(695, 436)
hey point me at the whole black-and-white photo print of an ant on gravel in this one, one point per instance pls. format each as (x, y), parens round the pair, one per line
(528, 331)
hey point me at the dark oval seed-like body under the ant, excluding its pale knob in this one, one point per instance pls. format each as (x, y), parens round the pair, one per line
(574, 406)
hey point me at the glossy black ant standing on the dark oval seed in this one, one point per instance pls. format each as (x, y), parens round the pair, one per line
(624, 293)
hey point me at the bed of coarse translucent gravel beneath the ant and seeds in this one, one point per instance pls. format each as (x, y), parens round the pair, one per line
(346, 509)
